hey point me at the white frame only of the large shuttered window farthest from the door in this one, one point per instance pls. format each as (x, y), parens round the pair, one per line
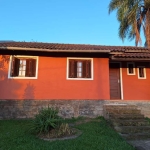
(22, 56)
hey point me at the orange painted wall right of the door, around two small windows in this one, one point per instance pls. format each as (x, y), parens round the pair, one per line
(134, 88)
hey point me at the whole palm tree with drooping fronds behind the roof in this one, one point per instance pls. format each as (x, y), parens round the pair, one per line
(133, 15)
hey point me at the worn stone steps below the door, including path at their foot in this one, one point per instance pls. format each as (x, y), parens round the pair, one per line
(130, 123)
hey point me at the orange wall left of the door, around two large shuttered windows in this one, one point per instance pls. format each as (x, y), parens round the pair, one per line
(52, 82)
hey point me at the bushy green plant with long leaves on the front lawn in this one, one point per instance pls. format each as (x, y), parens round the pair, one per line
(46, 120)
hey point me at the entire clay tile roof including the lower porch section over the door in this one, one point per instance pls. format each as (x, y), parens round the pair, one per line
(128, 51)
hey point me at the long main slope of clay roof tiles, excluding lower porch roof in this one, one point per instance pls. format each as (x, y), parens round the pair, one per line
(71, 46)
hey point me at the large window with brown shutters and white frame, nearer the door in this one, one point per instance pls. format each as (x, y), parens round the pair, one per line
(79, 68)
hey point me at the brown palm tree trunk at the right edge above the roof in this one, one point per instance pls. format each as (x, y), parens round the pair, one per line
(148, 28)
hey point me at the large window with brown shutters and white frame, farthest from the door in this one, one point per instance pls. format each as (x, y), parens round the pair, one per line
(23, 67)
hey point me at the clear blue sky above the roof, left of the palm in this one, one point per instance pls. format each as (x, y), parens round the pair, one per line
(60, 21)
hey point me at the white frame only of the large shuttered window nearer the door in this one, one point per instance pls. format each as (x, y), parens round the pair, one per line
(76, 58)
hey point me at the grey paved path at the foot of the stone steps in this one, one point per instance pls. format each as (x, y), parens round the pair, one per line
(140, 144)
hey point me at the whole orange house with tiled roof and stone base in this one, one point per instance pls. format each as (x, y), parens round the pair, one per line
(78, 79)
